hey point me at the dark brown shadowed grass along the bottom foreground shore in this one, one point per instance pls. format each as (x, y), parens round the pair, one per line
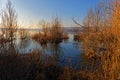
(35, 66)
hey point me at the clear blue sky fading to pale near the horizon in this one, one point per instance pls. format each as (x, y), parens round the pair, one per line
(34, 11)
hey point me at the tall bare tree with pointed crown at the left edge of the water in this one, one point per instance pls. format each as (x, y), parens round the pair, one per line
(9, 24)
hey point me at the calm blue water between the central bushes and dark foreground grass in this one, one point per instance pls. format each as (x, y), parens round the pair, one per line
(67, 50)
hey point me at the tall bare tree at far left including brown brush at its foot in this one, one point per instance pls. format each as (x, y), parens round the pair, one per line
(10, 24)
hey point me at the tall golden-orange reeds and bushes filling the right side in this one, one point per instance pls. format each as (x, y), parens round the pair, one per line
(101, 42)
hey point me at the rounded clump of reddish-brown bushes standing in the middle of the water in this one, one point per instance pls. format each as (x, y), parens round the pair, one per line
(53, 34)
